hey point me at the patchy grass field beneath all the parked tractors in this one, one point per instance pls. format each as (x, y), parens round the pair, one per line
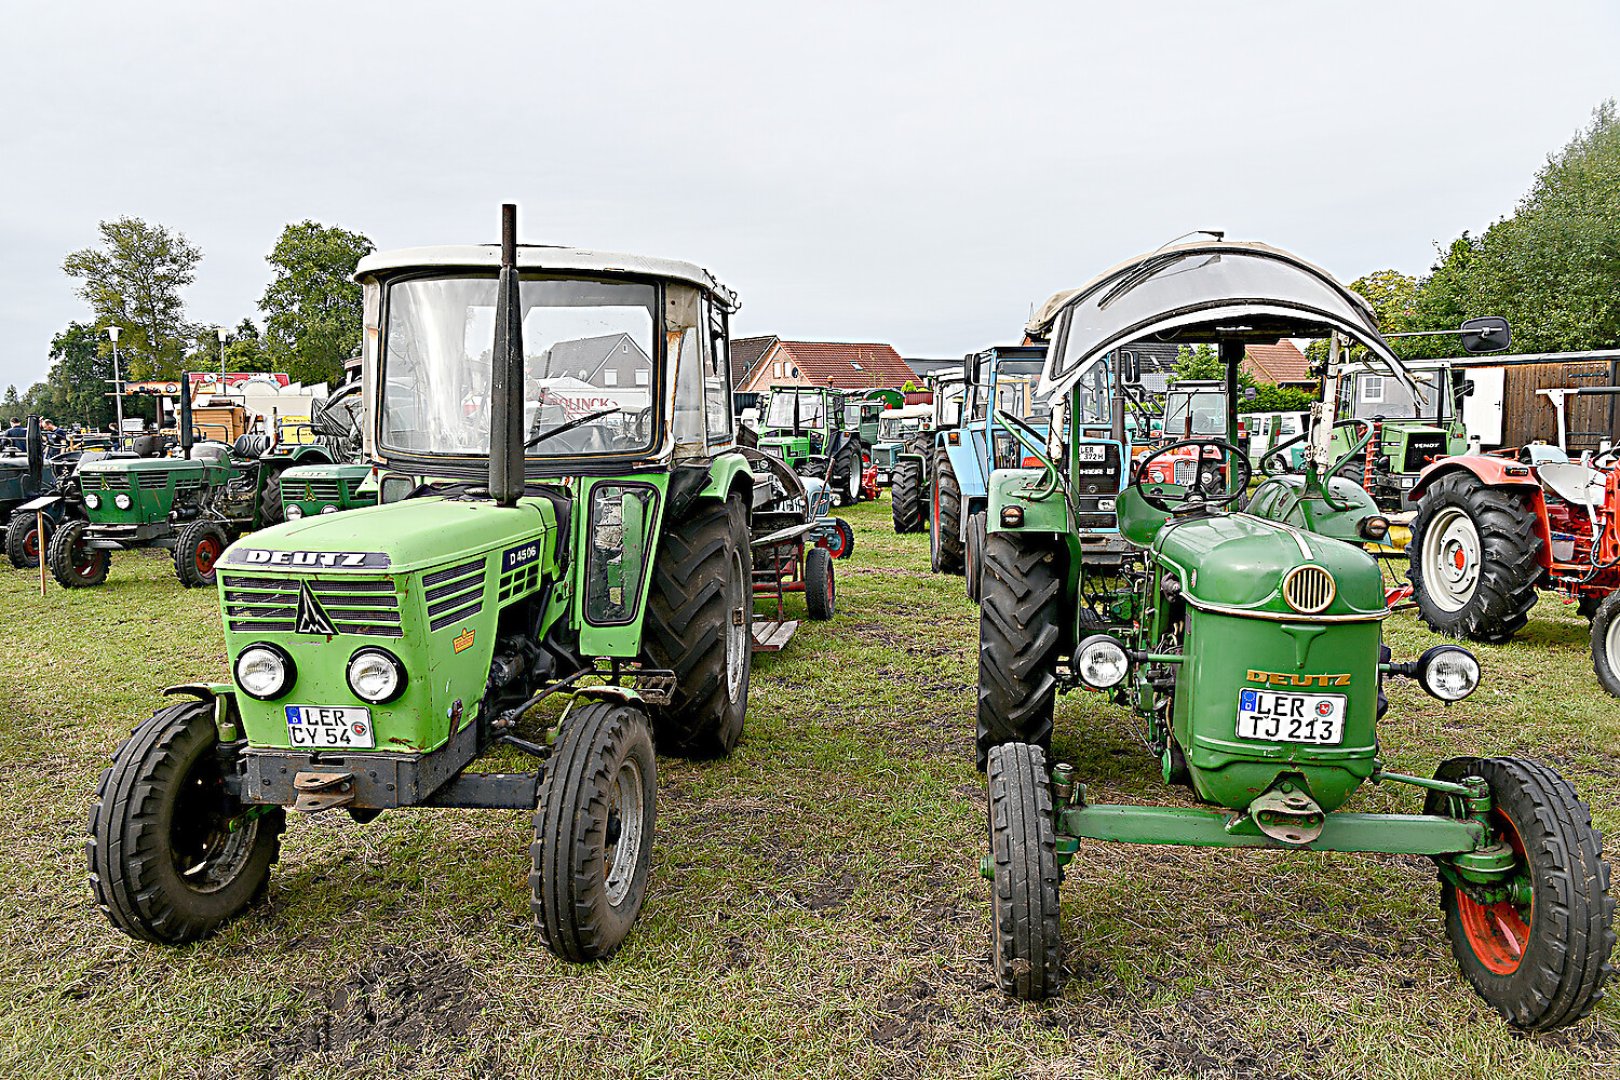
(814, 909)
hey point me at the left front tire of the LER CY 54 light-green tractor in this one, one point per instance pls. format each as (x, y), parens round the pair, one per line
(130, 854)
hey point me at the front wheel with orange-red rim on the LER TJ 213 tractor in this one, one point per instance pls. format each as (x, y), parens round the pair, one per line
(1537, 950)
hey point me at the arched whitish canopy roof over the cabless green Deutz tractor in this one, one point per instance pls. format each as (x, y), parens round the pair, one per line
(1201, 292)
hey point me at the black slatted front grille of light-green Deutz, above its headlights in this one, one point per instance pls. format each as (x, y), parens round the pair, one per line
(360, 606)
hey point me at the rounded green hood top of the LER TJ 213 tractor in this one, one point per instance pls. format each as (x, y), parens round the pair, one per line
(1240, 563)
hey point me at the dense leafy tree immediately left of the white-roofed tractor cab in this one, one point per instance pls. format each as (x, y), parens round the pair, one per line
(313, 307)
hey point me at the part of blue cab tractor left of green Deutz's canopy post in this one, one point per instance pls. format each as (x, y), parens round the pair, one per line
(1000, 381)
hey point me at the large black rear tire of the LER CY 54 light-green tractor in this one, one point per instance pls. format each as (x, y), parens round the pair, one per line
(688, 626)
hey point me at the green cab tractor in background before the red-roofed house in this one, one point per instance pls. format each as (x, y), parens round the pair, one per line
(803, 425)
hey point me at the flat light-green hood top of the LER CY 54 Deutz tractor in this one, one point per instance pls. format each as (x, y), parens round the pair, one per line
(398, 538)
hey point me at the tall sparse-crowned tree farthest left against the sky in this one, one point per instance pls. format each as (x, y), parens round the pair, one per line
(134, 281)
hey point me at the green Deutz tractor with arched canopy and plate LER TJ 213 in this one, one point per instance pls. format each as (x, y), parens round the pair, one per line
(1250, 652)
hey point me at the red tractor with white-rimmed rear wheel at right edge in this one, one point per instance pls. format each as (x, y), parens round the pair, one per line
(1491, 530)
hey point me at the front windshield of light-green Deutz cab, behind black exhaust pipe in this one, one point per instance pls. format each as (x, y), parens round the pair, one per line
(589, 354)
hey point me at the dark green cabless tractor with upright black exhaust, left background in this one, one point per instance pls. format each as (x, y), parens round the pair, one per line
(194, 501)
